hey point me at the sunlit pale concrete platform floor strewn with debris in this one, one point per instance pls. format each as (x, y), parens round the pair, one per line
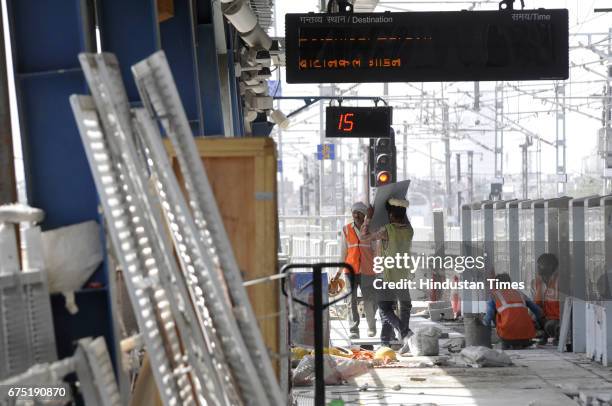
(540, 377)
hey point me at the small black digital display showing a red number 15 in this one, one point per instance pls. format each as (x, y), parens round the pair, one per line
(358, 122)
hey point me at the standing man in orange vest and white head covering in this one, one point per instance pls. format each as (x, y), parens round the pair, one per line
(359, 255)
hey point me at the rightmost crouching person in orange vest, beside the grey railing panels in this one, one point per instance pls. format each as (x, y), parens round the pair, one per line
(547, 296)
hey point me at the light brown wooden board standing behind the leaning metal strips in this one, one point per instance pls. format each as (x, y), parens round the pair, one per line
(242, 173)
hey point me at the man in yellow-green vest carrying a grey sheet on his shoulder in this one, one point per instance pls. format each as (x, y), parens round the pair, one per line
(394, 238)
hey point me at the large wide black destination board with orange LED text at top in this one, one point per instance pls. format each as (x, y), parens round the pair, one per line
(427, 46)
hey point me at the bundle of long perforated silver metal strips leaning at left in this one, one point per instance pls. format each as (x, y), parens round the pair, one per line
(193, 313)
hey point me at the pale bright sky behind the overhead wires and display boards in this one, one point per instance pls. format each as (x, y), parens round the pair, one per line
(537, 115)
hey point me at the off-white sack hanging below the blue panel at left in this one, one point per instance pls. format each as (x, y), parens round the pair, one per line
(71, 254)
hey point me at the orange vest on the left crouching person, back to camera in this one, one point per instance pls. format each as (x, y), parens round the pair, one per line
(513, 321)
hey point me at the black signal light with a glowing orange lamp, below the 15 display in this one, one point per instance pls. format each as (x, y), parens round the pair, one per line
(383, 168)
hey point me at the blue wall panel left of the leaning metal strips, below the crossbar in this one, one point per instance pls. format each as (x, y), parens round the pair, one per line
(59, 176)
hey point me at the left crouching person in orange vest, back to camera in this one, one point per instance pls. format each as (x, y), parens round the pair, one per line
(509, 309)
